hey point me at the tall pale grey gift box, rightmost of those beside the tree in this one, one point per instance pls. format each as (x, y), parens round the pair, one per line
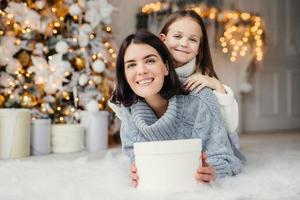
(96, 130)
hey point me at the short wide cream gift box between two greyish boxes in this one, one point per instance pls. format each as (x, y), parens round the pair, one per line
(67, 138)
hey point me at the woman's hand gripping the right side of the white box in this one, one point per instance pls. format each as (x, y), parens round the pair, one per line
(205, 173)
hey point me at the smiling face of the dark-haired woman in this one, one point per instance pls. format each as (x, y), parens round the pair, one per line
(144, 70)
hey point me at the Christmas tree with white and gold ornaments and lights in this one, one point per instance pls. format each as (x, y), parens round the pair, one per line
(56, 57)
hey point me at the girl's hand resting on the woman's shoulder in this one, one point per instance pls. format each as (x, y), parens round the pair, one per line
(199, 81)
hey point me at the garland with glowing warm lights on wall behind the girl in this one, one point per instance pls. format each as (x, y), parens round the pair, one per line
(236, 31)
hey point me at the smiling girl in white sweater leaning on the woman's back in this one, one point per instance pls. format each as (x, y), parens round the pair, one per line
(185, 36)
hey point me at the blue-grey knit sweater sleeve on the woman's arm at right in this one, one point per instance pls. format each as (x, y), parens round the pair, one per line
(211, 128)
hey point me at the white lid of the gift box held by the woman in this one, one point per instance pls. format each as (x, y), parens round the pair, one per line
(168, 147)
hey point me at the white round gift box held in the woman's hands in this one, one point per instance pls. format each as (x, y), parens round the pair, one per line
(168, 165)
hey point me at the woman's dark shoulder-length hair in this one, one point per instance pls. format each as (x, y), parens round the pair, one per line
(123, 94)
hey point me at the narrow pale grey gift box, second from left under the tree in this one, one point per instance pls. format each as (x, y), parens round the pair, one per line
(40, 137)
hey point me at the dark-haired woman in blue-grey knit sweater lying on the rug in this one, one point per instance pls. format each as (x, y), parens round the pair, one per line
(155, 107)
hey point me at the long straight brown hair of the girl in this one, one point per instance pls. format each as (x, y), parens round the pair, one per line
(203, 59)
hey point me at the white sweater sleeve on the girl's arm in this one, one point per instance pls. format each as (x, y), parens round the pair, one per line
(229, 109)
